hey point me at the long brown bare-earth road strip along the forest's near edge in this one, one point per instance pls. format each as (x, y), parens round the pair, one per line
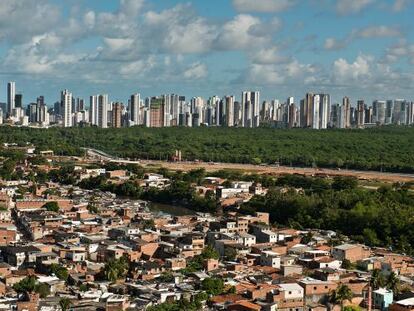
(260, 169)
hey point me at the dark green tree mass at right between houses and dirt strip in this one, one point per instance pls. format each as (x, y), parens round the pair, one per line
(384, 217)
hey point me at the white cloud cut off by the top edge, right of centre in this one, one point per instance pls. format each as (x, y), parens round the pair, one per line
(264, 6)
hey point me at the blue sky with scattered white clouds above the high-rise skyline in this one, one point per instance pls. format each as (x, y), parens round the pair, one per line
(363, 49)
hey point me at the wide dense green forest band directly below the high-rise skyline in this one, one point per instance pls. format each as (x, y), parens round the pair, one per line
(387, 148)
